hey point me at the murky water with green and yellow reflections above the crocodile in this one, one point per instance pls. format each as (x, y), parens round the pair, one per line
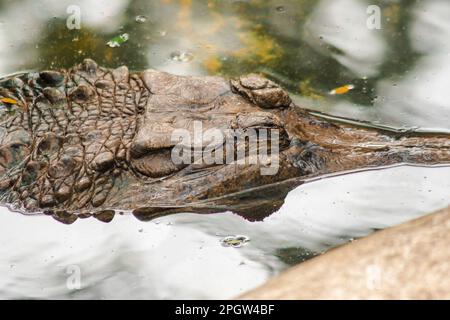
(400, 72)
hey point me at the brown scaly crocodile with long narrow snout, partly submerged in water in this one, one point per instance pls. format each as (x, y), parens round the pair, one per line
(89, 141)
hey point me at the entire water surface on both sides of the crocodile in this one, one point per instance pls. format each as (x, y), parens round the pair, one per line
(400, 74)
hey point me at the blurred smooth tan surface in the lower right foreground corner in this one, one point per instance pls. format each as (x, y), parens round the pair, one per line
(410, 261)
